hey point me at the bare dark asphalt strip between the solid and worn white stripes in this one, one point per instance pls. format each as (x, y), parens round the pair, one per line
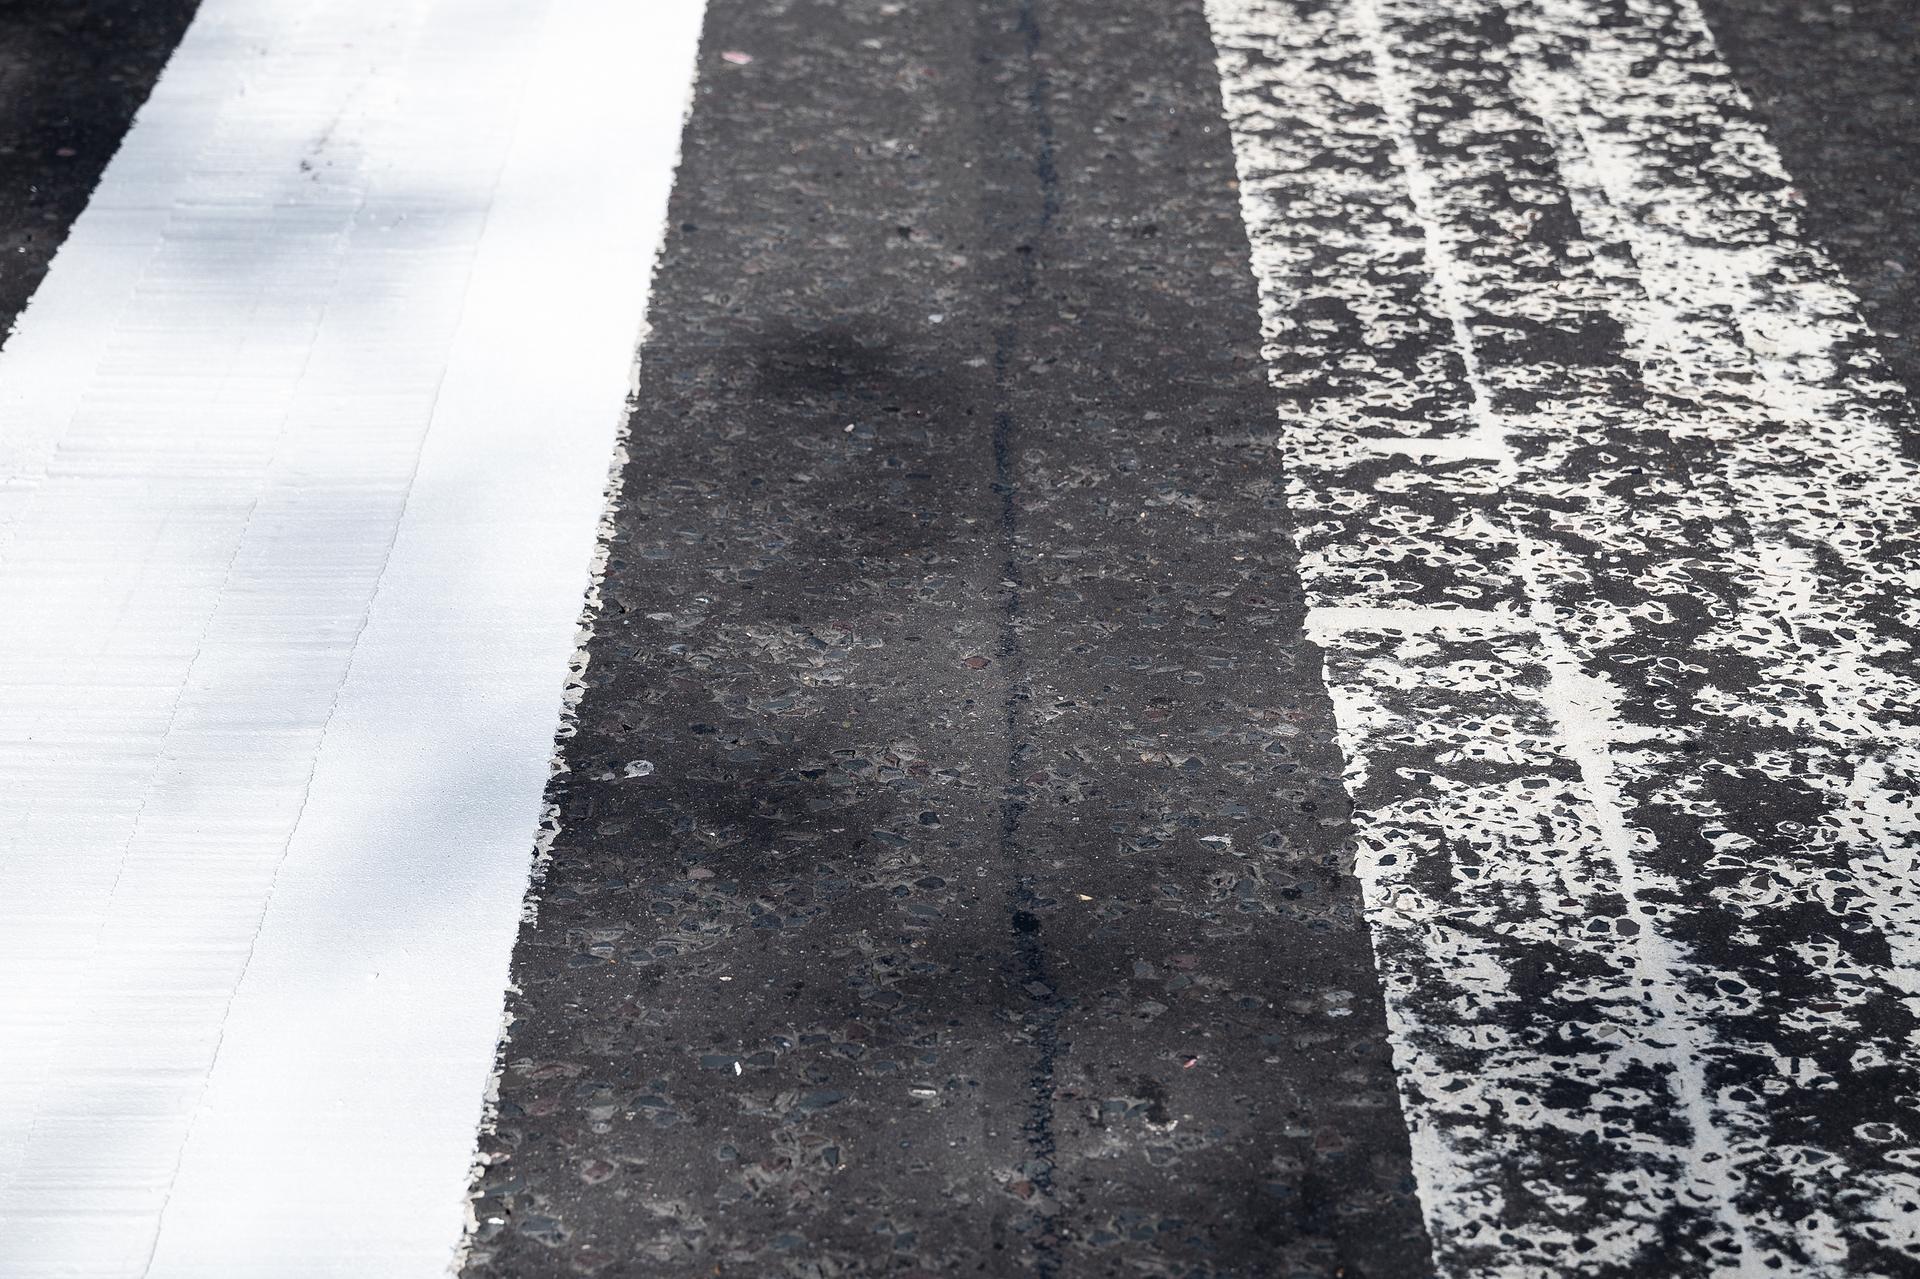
(988, 905)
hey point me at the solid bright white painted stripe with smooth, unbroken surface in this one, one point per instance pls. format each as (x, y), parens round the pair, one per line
(306, 443)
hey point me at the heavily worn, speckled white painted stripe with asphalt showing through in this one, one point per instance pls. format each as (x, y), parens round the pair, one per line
(1639, 863)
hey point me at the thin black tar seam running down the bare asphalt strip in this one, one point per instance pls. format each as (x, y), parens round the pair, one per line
(1028, 944)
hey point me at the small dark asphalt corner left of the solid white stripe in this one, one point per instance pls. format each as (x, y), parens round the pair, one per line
(72, 78)
